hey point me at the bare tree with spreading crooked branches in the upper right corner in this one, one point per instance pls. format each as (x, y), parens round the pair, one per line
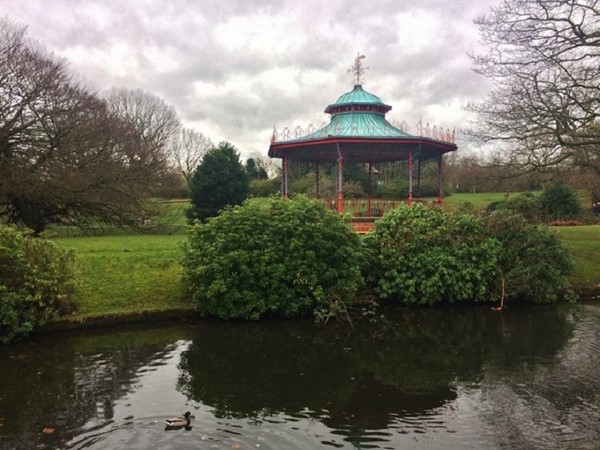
(543, 58)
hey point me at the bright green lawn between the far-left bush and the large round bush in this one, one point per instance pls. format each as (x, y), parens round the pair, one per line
(128, 274)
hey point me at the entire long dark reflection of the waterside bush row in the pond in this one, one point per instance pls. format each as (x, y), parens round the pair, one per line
(408, 364)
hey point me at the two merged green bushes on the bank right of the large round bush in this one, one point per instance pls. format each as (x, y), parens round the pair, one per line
(426, 256)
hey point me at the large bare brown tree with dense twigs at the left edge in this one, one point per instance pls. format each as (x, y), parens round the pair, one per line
(65, 156)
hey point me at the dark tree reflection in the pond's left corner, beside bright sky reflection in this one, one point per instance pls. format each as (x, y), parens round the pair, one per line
(63, 383)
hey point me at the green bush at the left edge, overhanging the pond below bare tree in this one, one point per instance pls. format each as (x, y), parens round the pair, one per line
(36, 282)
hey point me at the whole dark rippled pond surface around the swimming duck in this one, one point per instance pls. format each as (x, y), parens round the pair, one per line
(439, 378)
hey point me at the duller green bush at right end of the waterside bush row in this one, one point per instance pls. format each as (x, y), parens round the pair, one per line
(533, 265)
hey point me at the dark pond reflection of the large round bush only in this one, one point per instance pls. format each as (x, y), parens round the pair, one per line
(242, 369)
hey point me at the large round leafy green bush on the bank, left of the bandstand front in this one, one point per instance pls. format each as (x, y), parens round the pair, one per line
(272, 257)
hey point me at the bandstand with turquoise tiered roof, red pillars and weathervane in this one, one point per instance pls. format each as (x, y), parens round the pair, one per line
(358, 132)
